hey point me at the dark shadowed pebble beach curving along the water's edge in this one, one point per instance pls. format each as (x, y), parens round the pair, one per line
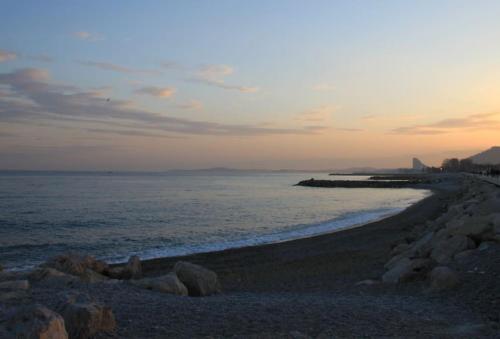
(333, 285)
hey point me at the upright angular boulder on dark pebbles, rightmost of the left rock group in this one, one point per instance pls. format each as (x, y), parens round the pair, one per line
(198, 280)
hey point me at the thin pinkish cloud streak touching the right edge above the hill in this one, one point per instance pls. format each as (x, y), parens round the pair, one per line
(482, 121)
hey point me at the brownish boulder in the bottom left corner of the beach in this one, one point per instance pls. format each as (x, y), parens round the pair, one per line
(36, 321)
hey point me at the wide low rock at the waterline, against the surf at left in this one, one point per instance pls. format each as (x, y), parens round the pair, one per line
(76, 264)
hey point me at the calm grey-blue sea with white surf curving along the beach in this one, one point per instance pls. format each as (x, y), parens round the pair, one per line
(115, 215)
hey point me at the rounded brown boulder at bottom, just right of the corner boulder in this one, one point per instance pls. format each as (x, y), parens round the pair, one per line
(85, 319)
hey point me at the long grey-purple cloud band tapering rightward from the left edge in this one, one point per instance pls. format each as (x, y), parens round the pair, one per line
(57, 105)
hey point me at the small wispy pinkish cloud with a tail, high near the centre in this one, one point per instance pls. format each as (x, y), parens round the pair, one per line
(214, 75)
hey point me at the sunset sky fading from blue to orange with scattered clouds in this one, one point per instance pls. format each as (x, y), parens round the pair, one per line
(157, 85)
